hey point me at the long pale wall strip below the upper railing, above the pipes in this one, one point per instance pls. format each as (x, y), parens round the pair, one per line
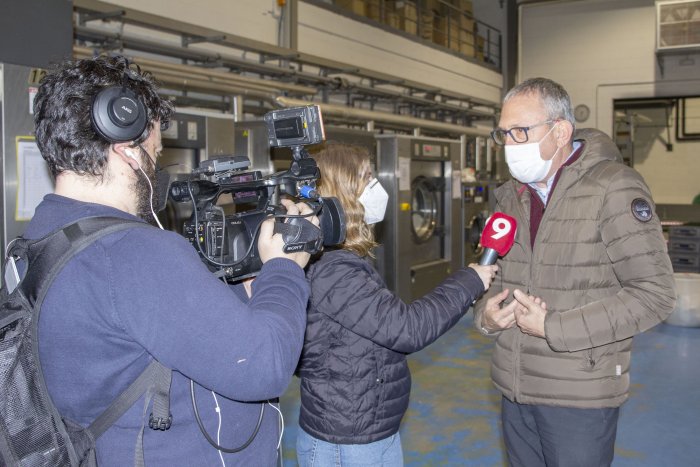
(329, 35)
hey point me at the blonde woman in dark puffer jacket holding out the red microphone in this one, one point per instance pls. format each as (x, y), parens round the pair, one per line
(355, 381)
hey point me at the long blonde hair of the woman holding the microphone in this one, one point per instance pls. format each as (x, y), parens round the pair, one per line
(342, 168)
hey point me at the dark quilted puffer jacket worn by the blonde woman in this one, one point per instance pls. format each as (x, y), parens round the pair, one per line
(355, 381)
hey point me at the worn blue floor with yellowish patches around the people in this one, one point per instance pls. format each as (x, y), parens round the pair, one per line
(453, 416)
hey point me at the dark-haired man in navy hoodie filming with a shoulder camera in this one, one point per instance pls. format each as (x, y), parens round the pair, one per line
(143, 293)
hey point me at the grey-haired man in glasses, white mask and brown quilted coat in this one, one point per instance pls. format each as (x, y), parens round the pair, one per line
(588, 271)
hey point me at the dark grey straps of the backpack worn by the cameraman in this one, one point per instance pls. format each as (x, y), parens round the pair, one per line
(64, 244)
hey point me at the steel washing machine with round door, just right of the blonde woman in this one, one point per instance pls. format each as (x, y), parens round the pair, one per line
(421, 235)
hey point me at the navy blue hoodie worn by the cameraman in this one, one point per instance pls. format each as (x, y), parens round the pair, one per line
(141, 294)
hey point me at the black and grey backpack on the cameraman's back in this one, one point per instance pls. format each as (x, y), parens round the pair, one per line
(32, 432)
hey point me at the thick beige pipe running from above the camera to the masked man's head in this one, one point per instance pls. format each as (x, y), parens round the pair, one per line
(362, 115)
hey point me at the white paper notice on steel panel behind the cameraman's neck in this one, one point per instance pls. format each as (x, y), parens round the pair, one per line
(33, 178)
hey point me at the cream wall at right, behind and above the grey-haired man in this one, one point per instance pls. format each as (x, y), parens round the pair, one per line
(601, 50)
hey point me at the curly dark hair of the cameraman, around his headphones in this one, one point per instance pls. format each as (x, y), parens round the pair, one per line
(64, 131)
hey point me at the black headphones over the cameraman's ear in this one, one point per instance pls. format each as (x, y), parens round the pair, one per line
(118, 115)
